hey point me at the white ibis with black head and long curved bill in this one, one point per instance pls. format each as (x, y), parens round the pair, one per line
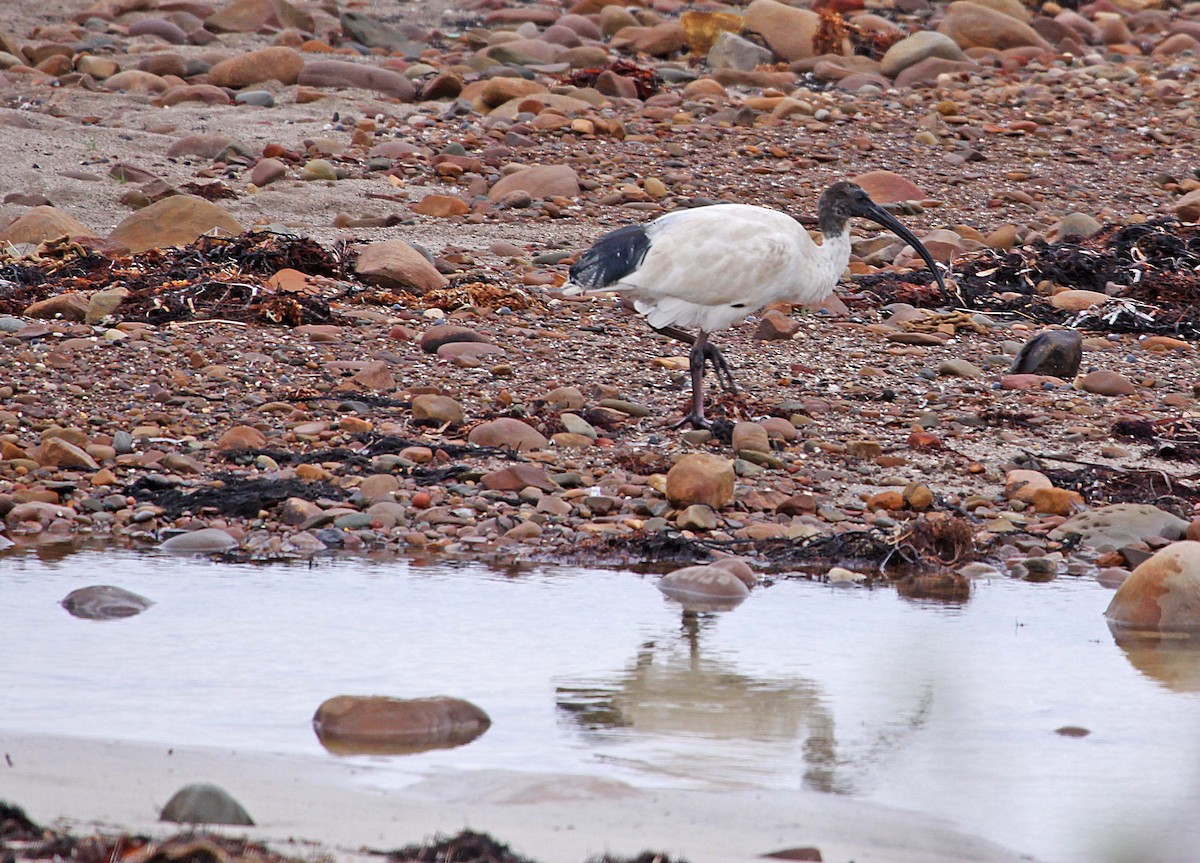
(711, 267)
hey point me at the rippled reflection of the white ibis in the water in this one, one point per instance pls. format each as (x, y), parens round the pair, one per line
(673, 691)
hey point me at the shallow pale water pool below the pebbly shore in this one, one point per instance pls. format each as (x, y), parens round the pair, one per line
(950, 710)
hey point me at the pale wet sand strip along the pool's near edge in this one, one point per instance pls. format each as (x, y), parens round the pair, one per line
(310, 807)
